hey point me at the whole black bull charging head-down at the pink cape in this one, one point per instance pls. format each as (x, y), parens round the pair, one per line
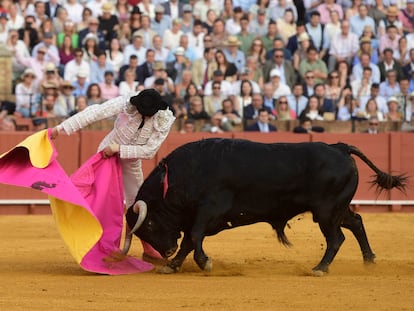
(204, 187)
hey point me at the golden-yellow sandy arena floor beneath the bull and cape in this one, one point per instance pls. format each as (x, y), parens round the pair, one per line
(251, 271)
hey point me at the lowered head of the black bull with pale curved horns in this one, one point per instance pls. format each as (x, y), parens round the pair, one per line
(152, 228)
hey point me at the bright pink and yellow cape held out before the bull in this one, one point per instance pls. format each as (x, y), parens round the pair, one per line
(88, 206)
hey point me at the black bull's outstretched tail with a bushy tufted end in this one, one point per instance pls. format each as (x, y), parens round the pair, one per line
(382, 180)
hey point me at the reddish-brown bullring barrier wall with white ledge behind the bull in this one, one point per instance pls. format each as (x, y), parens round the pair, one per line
(391, 152)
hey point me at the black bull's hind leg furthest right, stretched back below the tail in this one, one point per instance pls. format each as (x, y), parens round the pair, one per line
(353, 222)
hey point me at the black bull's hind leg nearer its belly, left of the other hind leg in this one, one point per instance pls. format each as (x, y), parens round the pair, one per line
(334, 239)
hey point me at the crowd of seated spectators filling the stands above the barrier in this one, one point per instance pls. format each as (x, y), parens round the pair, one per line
(230, 63)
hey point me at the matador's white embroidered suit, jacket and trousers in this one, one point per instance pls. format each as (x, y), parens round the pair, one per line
(135, 143)
